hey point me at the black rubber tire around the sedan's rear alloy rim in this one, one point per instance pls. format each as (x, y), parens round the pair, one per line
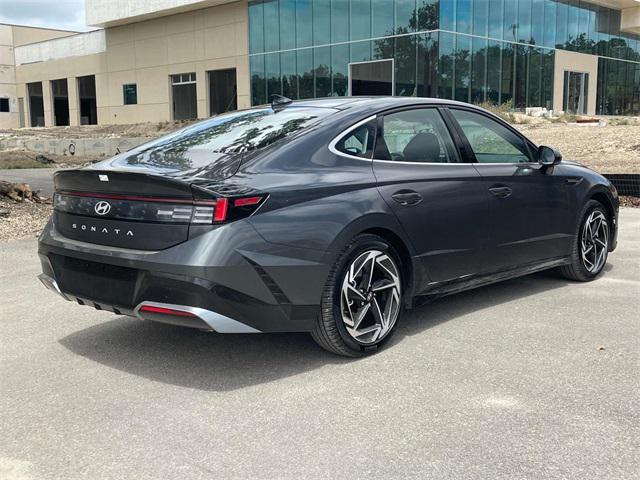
(330, 331)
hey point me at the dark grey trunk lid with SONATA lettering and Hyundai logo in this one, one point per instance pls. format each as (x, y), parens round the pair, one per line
(129, 210)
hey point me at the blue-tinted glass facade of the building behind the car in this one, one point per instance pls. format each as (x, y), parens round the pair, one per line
(566, 55)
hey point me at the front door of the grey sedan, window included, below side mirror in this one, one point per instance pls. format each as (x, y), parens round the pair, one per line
(528, 203)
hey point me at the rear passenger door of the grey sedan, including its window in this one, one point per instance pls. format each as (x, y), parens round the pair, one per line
(439, 201)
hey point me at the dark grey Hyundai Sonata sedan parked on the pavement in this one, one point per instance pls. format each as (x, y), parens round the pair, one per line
(327, 216)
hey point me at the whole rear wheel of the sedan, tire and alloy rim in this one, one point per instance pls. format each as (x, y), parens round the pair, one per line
(361, 301)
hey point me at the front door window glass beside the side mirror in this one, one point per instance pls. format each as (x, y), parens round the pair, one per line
(490, 141)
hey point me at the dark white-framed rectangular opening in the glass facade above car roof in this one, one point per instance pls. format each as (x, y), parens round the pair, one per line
(371, 78)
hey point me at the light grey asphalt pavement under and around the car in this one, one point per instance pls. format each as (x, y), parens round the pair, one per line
(532, 378)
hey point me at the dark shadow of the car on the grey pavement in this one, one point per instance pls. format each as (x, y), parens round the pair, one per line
(213, 362)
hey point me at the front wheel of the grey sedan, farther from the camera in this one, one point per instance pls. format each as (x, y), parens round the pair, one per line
(590, 245)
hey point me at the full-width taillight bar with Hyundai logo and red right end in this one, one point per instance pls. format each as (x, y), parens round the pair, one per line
(157, 209)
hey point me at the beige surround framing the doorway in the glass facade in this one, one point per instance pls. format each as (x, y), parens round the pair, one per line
(575, 62)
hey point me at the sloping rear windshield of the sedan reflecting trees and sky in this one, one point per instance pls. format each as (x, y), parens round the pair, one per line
(201, 144)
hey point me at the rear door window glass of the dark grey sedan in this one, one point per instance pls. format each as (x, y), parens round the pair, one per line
(417, 135)
